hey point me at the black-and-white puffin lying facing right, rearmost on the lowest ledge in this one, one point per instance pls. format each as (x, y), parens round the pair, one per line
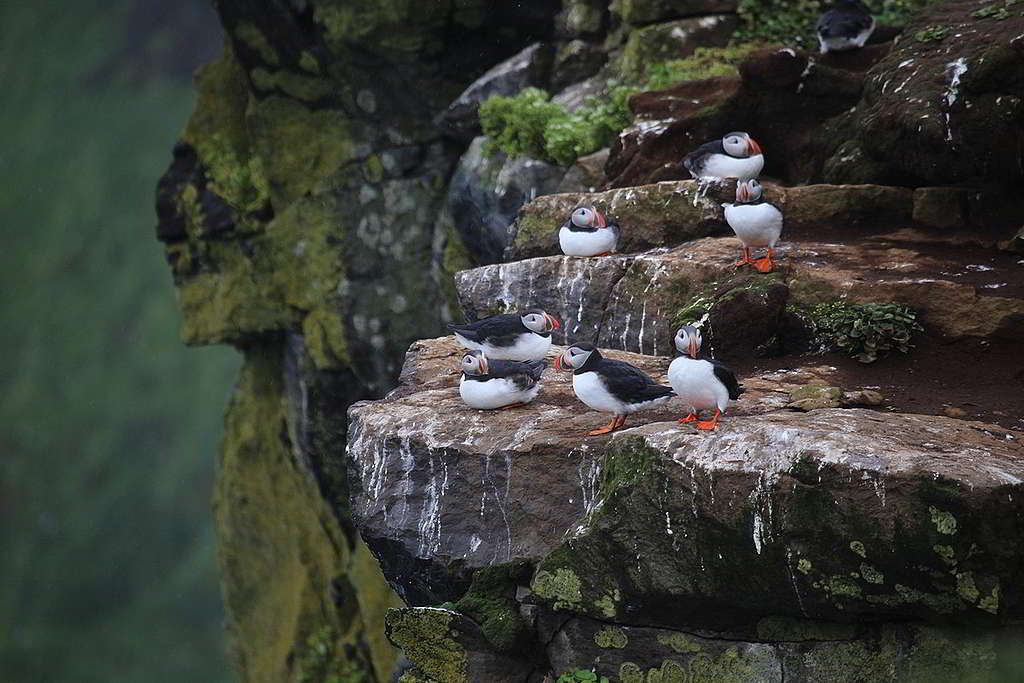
(522, 336)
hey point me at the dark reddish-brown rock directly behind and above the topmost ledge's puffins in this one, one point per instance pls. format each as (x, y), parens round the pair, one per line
(783, 99)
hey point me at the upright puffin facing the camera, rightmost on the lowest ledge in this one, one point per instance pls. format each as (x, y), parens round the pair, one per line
(701, 383)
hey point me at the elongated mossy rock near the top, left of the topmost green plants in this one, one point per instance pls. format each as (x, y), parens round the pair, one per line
(674, 40)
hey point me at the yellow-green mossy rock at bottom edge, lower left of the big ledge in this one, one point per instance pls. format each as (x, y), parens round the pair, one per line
(426, 636)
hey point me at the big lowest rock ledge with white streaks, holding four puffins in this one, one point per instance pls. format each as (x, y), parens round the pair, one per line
(780, 547)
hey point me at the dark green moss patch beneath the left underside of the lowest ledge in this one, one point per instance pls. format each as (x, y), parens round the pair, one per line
(491, 603)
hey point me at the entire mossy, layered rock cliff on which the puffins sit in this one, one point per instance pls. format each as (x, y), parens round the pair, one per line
(333, 202)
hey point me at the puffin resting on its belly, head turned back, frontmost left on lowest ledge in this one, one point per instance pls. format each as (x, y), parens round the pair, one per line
(490, 385)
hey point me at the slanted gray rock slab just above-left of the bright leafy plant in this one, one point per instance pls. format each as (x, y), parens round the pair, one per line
(532, 67)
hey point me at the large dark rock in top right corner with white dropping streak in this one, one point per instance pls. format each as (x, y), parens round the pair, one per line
(940, 112)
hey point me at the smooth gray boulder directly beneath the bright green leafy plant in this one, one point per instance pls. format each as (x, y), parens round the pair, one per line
(487, 192)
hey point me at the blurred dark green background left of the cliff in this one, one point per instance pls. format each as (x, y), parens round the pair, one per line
(109, 426)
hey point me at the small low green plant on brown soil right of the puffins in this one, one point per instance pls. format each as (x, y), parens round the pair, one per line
(868, 331)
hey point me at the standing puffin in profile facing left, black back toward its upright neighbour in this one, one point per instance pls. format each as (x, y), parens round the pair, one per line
(610, 387)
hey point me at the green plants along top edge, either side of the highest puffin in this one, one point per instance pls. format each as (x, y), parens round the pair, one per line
(792, 23)
